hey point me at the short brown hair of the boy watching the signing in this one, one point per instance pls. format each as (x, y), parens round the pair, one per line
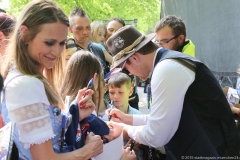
(119, 79)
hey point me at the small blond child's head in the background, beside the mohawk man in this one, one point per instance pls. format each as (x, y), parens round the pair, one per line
(98, 32)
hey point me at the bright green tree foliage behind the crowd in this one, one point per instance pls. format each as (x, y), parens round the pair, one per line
(147, 12)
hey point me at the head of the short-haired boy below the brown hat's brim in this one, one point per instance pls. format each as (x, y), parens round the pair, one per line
(120, 88)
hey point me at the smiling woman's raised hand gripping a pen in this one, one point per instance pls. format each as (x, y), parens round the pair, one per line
(85, 103)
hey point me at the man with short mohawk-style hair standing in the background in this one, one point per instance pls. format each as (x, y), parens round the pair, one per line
(81, 31)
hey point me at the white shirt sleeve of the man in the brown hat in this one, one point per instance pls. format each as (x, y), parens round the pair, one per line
(170, 81)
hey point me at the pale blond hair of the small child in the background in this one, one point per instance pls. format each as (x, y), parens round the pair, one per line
(95, 26)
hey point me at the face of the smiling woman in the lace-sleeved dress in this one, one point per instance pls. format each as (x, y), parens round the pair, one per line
(48, 44)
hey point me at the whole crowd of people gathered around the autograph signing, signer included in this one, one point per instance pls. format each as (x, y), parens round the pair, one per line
(59, 91)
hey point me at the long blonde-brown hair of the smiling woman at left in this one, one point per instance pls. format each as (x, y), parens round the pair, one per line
(35, 14)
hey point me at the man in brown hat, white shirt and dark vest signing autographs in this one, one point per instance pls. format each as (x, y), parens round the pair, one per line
(190, 115)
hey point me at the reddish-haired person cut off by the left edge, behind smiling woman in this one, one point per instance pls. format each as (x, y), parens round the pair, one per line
(6, 26)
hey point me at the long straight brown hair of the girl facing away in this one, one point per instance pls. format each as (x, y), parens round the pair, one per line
(80, 69)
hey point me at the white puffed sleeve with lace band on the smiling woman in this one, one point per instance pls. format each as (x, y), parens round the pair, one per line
(28, 106)
